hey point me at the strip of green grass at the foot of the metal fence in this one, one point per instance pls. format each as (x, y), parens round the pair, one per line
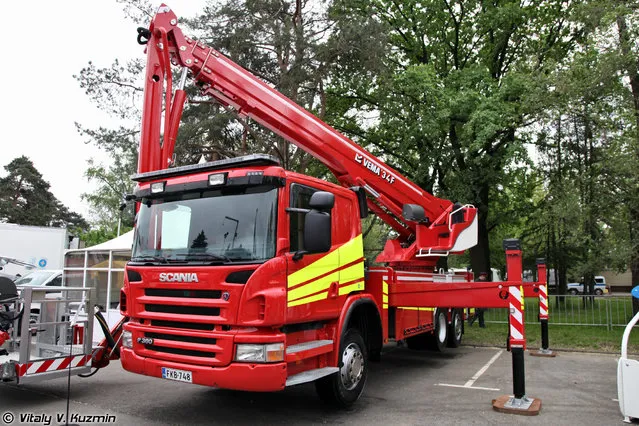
(586, 338)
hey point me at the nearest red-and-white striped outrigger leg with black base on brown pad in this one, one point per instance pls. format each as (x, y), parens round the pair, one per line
(519, 403)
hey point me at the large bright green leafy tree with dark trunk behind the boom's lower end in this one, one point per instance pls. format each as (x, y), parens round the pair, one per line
(453, 88)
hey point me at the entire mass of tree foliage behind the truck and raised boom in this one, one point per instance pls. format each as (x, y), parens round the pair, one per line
(520, 108)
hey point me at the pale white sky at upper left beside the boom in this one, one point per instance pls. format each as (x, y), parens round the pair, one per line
(40, 100)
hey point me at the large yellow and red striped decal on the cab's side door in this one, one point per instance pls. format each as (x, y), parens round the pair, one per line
(345, 266)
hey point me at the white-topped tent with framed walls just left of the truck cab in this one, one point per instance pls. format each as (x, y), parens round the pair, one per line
(102, 268)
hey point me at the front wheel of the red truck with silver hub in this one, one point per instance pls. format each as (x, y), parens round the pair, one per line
(345, 387)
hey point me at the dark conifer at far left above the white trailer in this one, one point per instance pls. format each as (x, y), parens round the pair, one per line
(25, 199)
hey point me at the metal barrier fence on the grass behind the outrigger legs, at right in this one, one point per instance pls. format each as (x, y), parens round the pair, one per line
(597, 311)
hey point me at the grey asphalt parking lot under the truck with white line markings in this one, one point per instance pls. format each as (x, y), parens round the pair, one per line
(406, 388)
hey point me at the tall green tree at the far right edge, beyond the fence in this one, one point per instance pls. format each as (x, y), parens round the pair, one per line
(586, 145)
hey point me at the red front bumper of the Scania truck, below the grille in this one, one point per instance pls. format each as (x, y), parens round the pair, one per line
(238, 376)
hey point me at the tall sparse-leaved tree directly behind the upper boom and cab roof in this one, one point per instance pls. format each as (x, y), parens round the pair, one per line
(281, 43)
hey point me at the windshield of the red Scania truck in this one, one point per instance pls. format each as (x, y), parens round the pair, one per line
(207, 227)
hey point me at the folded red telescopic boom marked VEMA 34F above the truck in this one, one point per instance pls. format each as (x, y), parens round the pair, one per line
(427, 226)
